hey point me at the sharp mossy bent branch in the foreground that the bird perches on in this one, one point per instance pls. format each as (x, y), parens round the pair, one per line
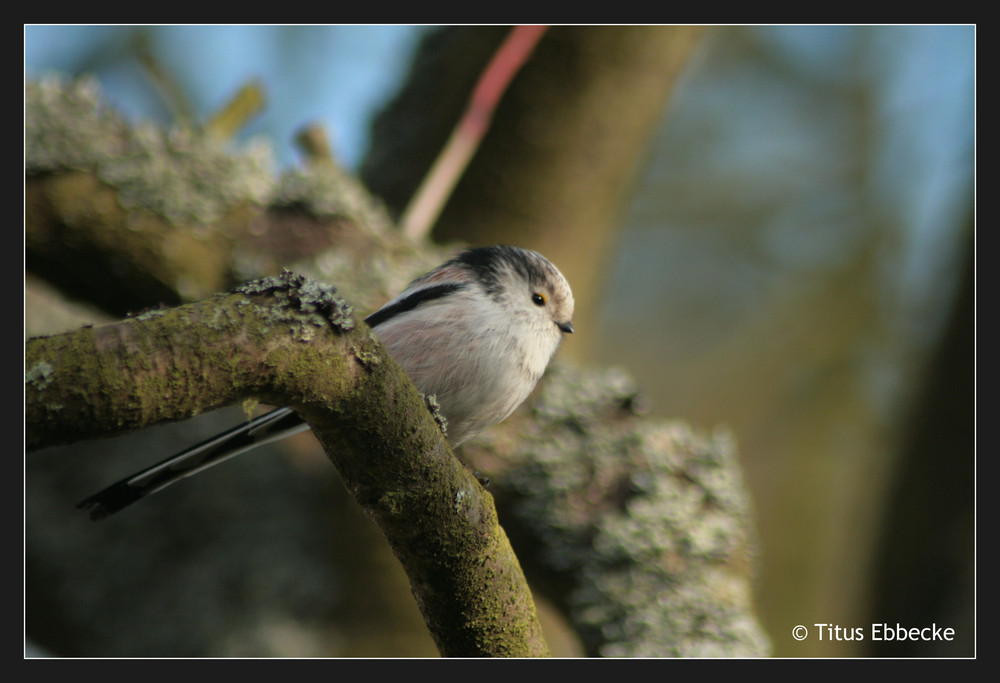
(291, 341)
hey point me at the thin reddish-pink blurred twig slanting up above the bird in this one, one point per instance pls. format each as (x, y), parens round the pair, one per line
(429, 200)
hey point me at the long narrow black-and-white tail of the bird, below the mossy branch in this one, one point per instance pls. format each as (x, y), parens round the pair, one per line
(269, 427)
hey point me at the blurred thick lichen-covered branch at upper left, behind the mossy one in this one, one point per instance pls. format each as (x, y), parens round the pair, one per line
(124, 216)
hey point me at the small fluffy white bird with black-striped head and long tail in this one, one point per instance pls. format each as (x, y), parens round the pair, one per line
(477, 333)
